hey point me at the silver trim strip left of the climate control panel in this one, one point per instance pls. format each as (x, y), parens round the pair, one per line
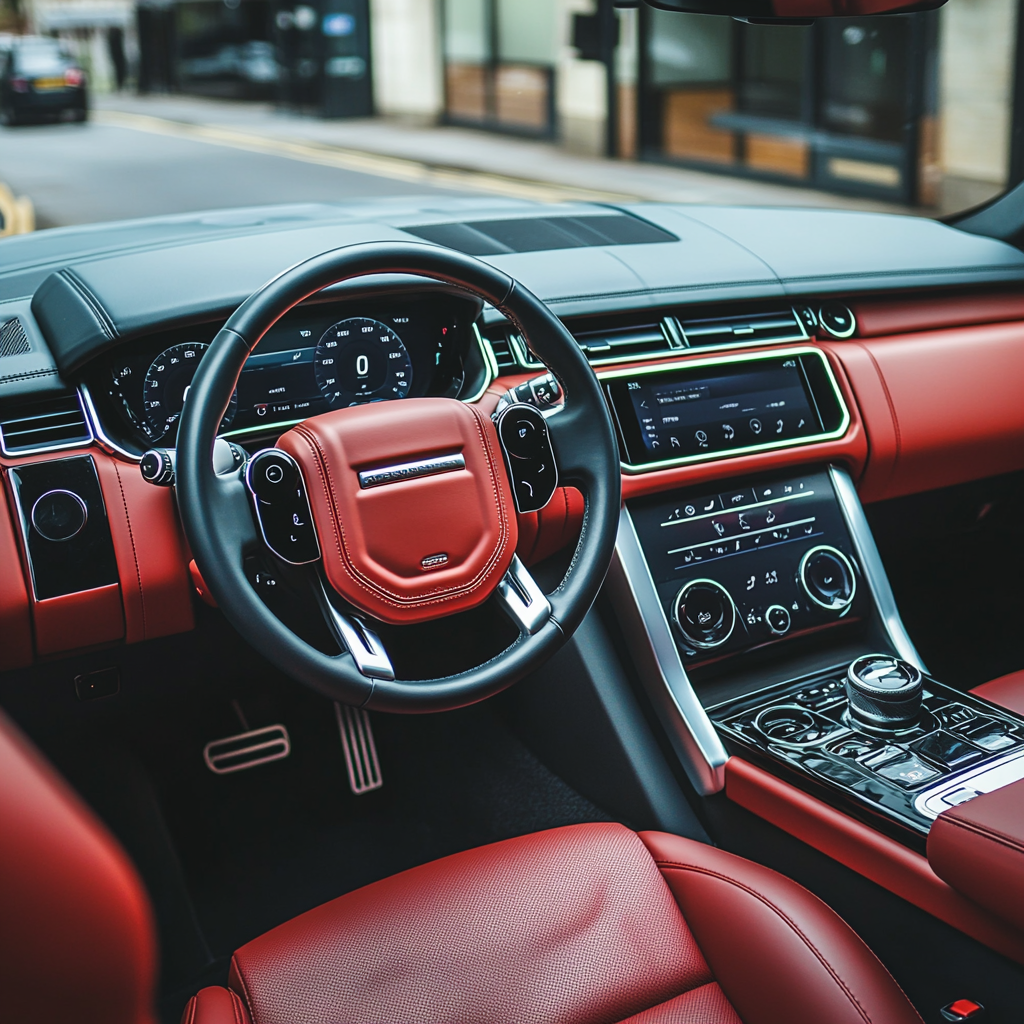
(659, 665)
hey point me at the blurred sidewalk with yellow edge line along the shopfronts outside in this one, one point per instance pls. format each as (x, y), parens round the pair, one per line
(478, 161)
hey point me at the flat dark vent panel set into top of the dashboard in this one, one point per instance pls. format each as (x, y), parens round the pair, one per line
(528, 235)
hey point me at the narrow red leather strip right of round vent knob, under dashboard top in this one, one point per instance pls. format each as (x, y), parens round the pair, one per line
(882, 317)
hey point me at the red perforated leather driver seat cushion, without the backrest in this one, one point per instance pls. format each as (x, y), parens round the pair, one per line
(587, 924)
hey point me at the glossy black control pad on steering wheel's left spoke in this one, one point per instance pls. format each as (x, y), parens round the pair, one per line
(282, 507)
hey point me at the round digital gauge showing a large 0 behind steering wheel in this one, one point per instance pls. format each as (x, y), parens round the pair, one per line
(360, 361)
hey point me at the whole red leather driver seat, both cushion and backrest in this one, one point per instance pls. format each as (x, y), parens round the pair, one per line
(587, 924)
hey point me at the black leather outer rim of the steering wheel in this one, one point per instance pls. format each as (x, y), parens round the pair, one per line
(219, 523)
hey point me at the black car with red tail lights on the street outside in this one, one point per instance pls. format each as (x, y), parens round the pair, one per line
(40, 82)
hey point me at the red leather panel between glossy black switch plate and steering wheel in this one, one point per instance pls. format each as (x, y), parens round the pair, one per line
(150, 552)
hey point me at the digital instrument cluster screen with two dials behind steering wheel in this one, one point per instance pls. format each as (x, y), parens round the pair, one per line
(318, 358)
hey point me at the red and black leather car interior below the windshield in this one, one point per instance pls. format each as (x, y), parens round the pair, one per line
(474, 610)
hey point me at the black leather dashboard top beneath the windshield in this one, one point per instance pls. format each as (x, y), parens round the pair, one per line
(95, 287)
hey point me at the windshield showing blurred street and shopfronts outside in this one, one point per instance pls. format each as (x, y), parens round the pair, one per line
(195, 106)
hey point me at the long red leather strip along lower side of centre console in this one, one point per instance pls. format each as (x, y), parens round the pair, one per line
(868, 852)
